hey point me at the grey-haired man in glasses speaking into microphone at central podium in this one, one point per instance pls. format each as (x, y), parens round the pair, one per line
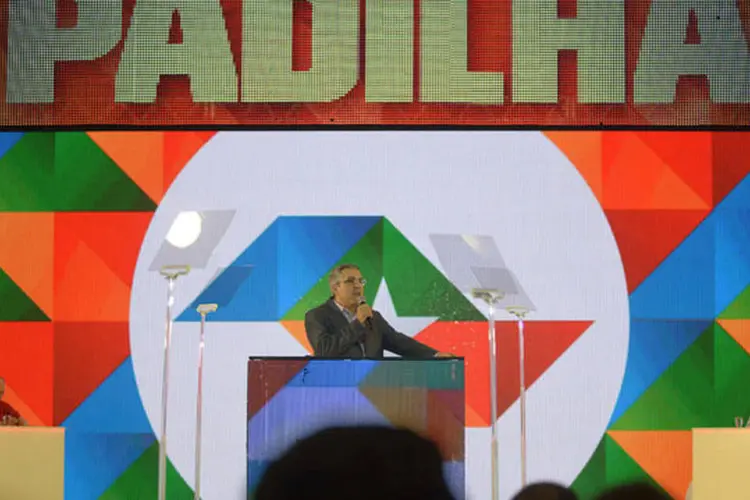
(346, 327)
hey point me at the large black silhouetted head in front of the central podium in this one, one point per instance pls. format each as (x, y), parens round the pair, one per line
(366, 463)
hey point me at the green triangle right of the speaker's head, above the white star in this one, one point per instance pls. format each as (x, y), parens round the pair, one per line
(417, 287)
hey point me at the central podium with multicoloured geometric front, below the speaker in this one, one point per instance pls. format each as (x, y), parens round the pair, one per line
(291, 398)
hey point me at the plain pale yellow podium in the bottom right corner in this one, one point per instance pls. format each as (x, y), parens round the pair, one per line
(720, 458)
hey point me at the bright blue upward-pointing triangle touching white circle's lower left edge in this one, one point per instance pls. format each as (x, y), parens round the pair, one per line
(114, 407)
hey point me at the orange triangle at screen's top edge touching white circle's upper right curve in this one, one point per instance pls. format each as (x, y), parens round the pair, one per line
(584, 150)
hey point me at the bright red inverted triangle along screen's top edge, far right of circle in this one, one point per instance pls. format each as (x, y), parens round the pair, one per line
(689, 155)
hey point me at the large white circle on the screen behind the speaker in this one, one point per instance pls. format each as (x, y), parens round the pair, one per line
(515, 186)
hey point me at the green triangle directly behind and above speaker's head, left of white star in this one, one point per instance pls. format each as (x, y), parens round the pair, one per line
(367, 254)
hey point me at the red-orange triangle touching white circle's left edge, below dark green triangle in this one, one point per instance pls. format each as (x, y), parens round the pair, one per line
(116, 237)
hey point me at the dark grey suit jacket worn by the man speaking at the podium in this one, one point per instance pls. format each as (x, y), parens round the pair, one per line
(332, 336)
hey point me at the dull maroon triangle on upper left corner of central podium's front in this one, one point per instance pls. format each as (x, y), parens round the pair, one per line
(267, 377)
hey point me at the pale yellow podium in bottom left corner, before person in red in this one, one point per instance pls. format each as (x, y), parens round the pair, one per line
(32, 463)
